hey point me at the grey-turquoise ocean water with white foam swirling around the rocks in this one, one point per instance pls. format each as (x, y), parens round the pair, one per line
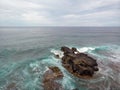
(26, 53)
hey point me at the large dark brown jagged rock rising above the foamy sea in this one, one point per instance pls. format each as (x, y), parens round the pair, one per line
(79, 64)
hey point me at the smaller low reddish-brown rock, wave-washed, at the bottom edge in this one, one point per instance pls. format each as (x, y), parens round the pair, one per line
(51, 78)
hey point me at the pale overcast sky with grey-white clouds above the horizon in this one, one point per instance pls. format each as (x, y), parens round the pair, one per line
(59, 12)
